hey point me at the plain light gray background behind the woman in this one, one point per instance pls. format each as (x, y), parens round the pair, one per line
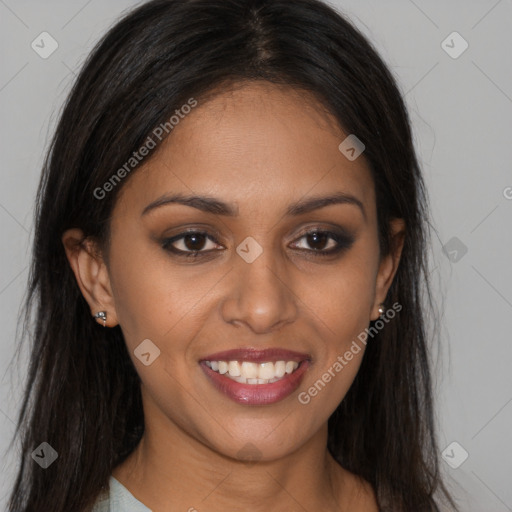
(461, 111)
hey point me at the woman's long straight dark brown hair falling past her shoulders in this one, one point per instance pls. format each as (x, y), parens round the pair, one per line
(83, 395)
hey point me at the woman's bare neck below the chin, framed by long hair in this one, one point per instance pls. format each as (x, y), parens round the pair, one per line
(172, 470)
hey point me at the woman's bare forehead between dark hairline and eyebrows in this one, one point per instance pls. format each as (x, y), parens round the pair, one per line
(257, 143)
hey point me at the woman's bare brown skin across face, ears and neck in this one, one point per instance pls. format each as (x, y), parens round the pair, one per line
(260, 148)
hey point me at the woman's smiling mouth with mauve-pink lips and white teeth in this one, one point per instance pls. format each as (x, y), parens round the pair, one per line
(256, 377)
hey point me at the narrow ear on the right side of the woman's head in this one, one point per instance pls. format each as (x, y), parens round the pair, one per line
(388, 265)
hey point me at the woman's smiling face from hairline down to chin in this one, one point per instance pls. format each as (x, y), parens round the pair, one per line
(253, 272)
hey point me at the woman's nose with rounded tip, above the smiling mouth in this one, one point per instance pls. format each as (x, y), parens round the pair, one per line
(261, 295)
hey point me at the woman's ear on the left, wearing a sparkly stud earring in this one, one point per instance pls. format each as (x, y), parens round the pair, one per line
(91, 274)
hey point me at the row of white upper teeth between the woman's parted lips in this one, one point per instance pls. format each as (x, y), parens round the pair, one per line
(253, 373)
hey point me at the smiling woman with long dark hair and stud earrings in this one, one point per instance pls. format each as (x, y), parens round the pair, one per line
(228, 273)
